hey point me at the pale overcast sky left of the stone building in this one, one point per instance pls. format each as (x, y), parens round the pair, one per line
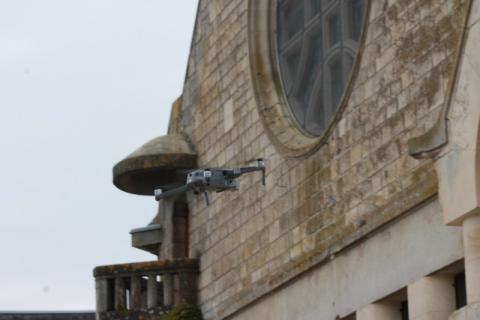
(82, 84)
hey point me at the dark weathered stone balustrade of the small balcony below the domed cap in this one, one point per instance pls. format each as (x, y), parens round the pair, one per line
(141, 289)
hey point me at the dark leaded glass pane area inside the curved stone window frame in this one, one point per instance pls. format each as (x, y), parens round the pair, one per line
(317, 41)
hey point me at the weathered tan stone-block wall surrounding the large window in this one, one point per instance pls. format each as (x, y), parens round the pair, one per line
(254, 240)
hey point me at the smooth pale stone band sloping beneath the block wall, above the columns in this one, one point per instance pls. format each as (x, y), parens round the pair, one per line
(365, 273)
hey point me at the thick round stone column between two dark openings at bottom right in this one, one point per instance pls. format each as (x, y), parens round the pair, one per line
(431, 298)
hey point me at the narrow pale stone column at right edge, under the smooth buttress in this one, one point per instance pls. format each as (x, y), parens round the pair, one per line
(471, 243)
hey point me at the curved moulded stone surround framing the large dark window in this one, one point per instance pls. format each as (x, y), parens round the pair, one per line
(276, 117)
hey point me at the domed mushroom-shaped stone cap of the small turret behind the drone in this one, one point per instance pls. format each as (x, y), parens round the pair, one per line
(161, 161)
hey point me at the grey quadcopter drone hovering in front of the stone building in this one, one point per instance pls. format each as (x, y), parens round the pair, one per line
(211, 179)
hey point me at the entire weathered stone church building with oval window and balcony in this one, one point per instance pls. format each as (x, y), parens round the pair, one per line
(367, 116)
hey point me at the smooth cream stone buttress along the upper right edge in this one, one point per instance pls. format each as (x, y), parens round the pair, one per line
(459, 192)
